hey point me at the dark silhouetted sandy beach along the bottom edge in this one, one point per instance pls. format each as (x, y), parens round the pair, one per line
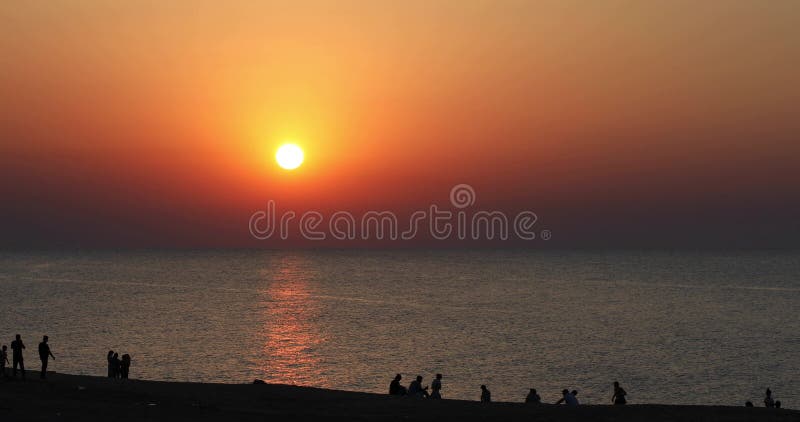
(72, 397)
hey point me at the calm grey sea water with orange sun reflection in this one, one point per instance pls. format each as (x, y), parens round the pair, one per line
(698, 328)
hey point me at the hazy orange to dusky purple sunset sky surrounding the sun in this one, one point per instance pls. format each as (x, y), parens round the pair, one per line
(635, 124)
